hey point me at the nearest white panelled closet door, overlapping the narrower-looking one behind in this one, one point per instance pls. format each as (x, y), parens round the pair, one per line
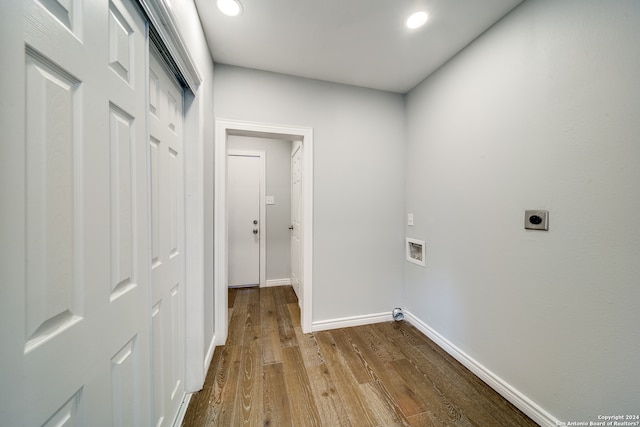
(82, 294)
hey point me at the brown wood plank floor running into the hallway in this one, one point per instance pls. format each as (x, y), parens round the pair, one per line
(269, 373)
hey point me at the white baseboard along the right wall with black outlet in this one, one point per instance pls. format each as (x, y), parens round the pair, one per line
(507, 391)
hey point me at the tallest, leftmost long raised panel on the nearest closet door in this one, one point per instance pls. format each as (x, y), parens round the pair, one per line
(53, 289)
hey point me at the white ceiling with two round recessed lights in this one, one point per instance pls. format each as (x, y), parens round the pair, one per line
(356, 42)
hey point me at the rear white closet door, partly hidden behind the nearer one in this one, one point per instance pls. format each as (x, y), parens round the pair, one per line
(167, 241)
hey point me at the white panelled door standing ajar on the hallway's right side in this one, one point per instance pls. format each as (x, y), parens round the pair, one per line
(296, 218)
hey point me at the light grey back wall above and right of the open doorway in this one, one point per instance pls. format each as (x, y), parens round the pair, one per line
(358, 179)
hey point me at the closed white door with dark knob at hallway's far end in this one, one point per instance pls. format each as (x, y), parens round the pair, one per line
(243, 185)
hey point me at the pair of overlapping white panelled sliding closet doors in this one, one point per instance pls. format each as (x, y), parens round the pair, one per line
(92, 192)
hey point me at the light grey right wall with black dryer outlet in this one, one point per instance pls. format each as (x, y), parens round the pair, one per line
(541, 112)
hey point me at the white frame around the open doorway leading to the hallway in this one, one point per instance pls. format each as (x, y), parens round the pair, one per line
(224, 128)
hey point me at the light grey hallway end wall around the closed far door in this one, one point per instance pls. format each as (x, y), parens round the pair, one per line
(278, 185)
